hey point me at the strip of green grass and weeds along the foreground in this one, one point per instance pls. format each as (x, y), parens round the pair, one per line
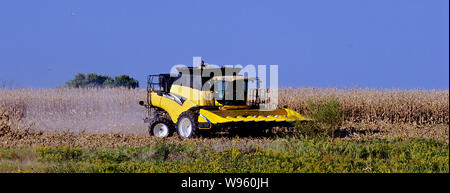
(284, 155)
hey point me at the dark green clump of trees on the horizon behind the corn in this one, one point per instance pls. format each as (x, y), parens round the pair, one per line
(93, 80)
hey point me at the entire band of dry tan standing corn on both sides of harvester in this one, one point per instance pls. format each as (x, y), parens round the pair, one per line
(117, 110)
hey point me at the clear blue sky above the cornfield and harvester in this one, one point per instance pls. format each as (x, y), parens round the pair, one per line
(316, 43)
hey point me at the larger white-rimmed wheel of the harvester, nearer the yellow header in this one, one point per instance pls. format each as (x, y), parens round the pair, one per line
(187, 125)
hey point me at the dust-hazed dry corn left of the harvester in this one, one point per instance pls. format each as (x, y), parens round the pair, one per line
(76, 110)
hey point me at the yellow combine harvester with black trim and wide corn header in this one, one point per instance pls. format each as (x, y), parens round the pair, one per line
(181, 103)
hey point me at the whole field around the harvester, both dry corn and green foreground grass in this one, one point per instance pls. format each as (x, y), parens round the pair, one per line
(101, 130)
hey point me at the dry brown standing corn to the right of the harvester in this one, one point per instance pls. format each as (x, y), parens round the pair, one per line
(370, 105)
